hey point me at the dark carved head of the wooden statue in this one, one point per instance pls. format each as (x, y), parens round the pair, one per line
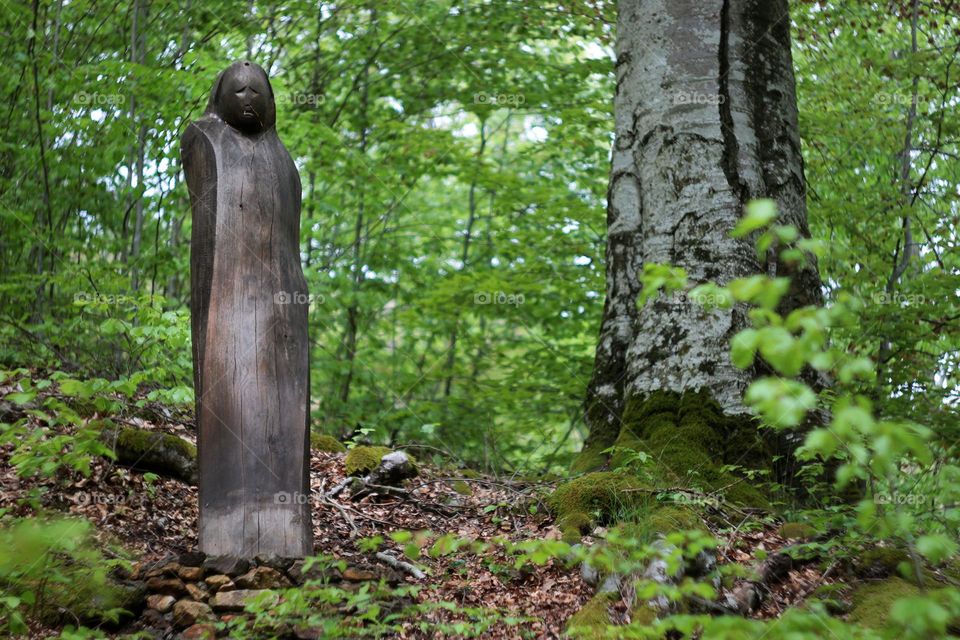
(243, 98)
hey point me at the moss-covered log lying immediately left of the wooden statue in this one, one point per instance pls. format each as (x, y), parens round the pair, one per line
(155, 451)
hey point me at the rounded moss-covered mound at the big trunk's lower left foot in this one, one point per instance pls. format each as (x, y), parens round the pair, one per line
(595, 498)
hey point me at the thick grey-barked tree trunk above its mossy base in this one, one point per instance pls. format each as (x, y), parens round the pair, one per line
(706, 119)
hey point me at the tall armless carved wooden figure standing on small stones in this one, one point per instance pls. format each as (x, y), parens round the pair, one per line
(249, 324)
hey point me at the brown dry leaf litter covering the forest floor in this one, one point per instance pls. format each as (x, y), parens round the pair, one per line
(156, 519)
